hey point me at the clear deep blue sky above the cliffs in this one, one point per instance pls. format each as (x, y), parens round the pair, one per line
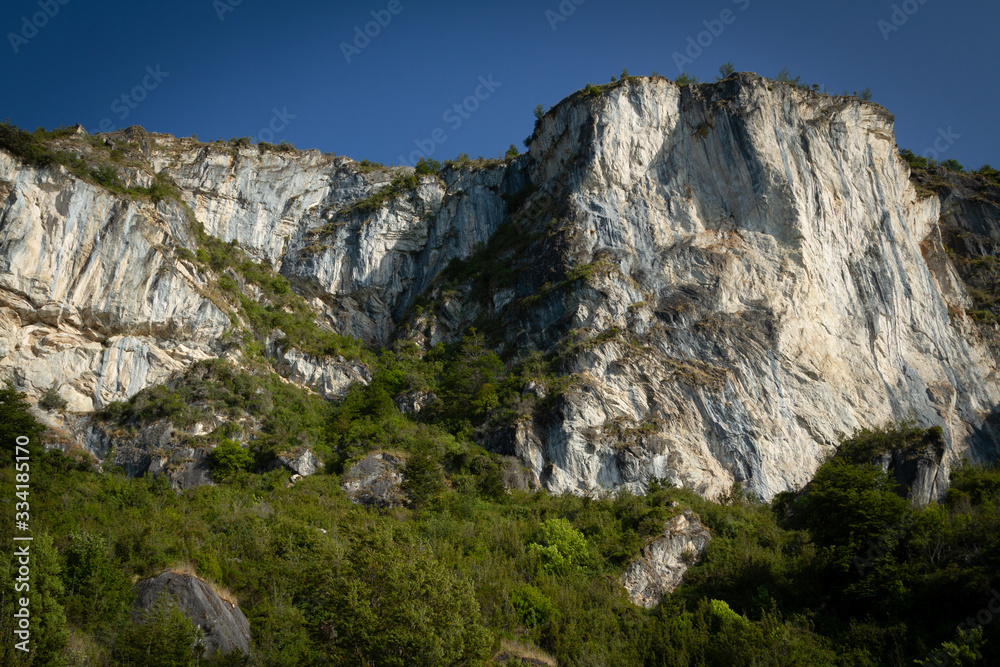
(225, 68)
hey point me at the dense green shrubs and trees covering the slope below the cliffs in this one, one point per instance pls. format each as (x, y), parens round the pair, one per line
(844, 573)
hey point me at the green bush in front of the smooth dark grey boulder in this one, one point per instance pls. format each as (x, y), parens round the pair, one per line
(162, 636)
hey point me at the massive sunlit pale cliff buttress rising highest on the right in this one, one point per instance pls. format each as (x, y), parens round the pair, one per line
(735, 273)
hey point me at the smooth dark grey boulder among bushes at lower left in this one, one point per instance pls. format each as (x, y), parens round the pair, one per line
(225, 626)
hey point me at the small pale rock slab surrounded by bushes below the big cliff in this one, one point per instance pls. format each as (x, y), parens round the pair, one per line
(661, 566)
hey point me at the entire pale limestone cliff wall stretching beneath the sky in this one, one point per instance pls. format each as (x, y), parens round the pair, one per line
(733, 275)
